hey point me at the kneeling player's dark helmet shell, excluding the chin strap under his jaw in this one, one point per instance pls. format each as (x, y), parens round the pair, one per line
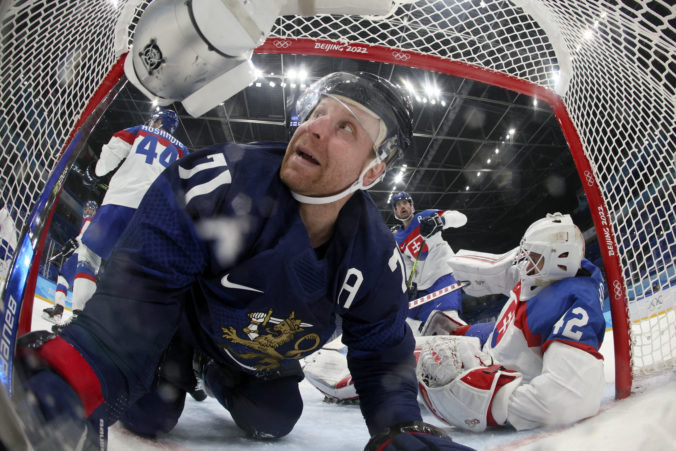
(375, 93)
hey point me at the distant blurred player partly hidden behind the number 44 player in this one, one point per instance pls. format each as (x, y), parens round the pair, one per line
(67, 263)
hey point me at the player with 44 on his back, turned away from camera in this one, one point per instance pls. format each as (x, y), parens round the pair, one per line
(146, 150)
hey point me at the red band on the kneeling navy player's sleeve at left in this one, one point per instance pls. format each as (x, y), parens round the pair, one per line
(64, 359)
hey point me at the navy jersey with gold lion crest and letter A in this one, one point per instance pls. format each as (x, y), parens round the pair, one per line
(218, 240)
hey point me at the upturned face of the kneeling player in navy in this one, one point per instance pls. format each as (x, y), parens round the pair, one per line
(330, 149)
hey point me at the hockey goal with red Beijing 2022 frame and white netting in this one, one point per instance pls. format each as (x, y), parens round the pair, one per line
(608, 70)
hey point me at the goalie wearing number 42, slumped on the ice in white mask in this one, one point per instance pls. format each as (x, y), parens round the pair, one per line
(539, 364)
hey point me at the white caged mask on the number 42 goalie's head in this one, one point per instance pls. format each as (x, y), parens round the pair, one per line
(551, 249)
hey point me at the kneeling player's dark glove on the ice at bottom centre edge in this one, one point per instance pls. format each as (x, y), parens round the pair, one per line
(413, 436)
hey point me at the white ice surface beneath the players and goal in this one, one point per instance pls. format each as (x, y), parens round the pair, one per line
(645, 421)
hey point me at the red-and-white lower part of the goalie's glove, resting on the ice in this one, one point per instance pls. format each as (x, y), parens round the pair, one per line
(476, 399)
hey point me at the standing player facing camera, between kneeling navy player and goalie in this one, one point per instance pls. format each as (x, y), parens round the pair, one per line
(426, 255)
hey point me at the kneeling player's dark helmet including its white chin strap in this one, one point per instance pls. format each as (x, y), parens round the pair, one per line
(387, 102)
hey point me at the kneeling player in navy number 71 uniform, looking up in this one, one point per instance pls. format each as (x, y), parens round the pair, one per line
(247, 254)
